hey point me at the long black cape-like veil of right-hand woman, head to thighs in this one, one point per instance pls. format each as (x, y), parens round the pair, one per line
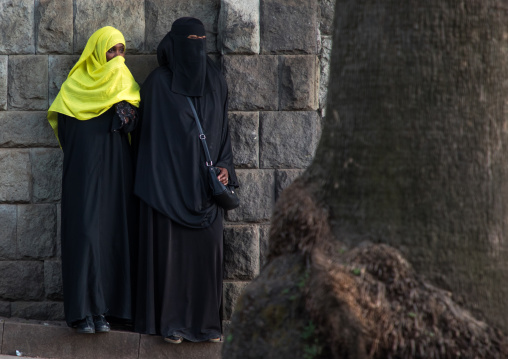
(171, 174)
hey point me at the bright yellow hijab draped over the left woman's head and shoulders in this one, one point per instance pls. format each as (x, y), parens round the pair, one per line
(95, 84)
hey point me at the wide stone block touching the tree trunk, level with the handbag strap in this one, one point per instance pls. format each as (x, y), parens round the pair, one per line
(288, 139)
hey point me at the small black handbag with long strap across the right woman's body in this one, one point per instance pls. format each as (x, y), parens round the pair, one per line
(224, 196)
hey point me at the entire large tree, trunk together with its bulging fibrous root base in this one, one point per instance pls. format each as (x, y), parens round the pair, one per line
(413, 156)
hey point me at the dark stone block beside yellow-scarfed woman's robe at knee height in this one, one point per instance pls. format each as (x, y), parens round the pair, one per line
(36, 231)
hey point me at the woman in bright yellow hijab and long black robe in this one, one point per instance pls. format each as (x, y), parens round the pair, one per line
(92, 115)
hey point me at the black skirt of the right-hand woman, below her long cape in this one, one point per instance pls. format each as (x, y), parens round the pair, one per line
(179, 278)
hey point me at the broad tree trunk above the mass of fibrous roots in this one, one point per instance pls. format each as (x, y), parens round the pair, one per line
(414, 151)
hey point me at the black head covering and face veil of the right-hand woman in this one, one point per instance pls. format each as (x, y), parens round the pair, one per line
(185, 57)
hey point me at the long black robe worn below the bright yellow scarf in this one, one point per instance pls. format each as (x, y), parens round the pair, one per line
(98, 218)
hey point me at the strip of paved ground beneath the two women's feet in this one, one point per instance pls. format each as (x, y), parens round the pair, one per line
(55, 340)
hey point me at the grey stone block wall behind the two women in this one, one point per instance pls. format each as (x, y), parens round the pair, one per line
(274, 55)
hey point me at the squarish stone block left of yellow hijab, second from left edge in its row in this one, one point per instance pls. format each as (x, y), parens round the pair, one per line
(28, 82)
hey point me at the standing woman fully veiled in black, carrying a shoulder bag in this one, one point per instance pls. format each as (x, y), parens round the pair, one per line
(180, 255)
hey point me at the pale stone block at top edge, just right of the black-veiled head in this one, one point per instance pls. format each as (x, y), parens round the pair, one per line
(239, 27)
